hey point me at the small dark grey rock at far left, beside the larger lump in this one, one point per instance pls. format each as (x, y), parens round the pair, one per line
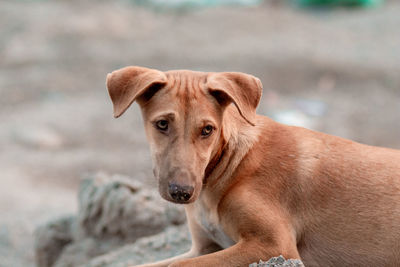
(51, 238)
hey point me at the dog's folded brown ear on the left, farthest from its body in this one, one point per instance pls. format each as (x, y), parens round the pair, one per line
(128, 84)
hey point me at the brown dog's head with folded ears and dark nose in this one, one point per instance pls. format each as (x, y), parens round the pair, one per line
(183, 116)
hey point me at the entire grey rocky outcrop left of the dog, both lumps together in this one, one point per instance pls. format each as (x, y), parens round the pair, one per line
(113, 211)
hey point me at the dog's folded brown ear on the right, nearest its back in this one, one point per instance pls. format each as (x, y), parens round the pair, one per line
(243, 90)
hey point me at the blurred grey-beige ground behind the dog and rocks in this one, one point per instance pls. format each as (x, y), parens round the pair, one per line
(331, 68)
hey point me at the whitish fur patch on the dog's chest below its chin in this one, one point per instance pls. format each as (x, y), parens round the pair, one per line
(209, 222)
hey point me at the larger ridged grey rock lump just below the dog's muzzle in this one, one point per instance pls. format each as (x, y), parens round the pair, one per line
(118, 206)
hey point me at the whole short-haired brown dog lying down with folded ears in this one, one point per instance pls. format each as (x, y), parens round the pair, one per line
(254, 188)
